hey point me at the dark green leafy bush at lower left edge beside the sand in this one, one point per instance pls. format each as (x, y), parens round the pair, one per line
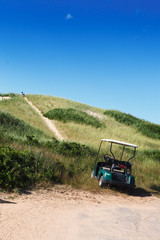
(17, 169)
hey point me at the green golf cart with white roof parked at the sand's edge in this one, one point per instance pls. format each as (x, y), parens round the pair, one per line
(113, 171)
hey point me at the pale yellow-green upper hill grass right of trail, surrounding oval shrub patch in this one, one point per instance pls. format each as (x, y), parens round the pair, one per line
(87, 134)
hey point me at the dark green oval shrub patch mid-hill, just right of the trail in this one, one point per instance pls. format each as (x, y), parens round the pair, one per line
(73, 115)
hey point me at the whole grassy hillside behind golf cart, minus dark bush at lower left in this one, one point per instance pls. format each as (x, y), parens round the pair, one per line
(82, 128)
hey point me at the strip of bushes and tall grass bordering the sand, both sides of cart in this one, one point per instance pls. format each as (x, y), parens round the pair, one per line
(67, 163)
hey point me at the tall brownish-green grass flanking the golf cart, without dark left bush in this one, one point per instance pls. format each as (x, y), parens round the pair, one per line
(64, 166)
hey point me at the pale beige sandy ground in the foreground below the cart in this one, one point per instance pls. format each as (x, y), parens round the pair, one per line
(69, 214)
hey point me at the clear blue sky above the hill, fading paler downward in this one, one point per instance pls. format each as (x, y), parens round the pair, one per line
(105, 53)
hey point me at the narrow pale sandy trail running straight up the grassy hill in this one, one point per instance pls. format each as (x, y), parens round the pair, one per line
(48, 122)
